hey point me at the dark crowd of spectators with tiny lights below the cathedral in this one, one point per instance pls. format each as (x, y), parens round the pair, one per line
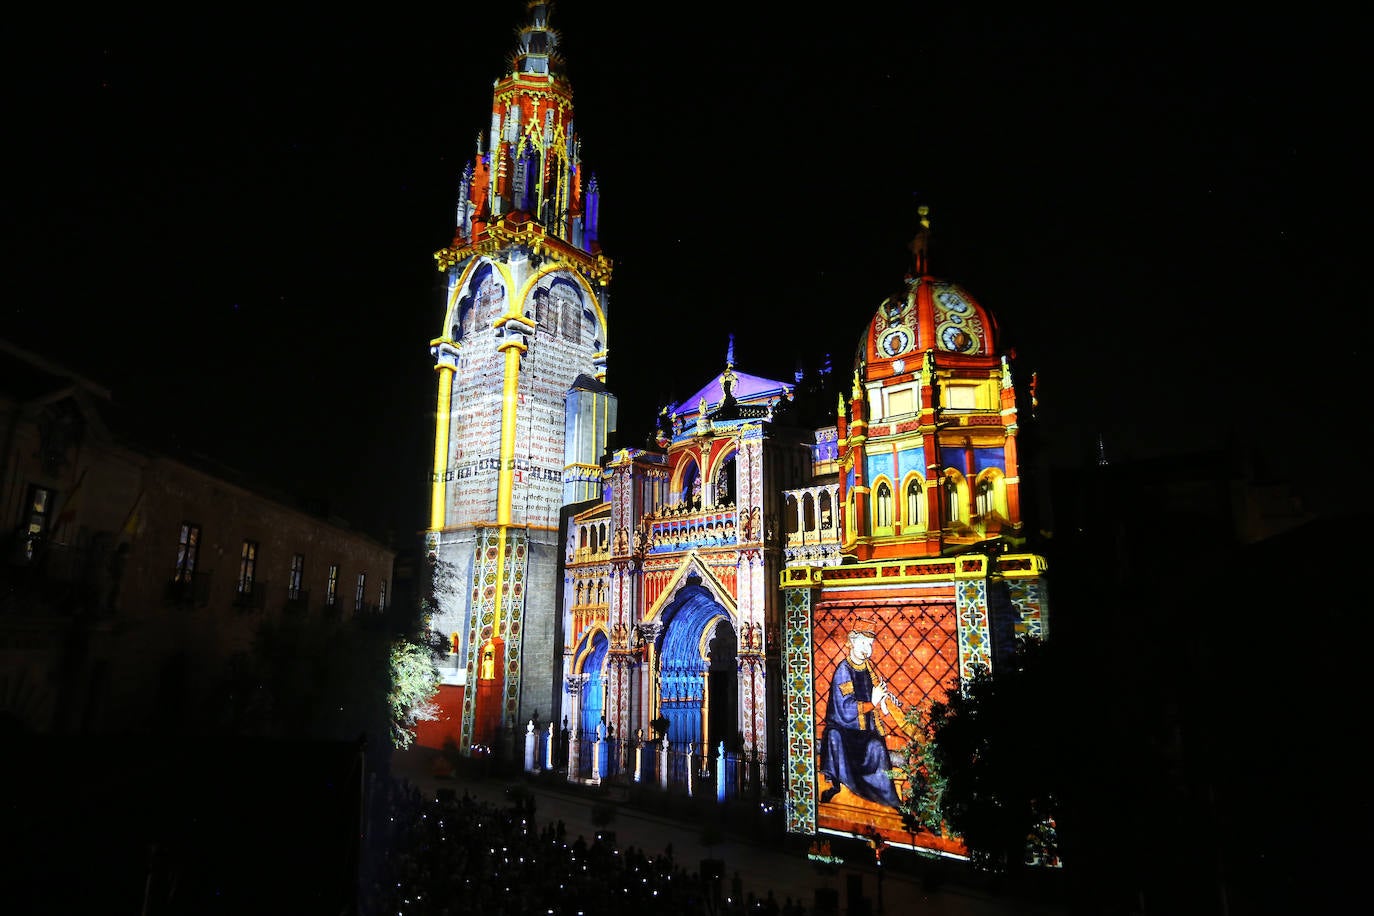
(458, 855)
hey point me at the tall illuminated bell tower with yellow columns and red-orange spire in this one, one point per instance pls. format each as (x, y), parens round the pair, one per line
(523, 344)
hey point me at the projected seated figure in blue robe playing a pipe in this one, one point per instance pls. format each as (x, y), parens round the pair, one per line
(853, 752)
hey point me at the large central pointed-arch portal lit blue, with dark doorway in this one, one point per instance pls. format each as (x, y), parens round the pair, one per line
(697, 683)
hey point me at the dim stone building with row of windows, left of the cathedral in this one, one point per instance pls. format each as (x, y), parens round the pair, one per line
(134, 579)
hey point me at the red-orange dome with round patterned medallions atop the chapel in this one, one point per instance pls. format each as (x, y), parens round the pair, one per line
(931, 315)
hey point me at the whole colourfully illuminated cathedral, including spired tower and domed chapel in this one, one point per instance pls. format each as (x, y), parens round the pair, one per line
(792, 593)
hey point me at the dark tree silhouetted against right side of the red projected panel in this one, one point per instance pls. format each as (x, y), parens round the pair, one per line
(1000, 759)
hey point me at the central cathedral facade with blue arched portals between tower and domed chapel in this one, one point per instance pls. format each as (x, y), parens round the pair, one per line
(671, 587)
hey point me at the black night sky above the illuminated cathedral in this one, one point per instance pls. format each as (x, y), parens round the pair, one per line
(233, 222)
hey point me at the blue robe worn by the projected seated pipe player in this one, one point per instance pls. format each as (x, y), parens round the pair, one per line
(853, 751)
